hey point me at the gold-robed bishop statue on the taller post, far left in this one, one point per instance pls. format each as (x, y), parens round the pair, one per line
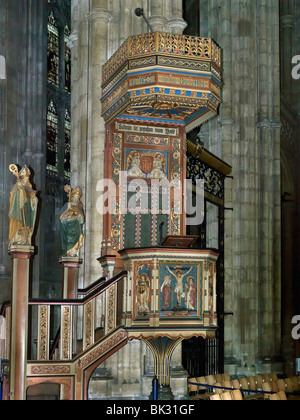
(23, 205)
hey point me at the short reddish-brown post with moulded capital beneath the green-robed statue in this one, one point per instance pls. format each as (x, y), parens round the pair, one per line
(70, 276)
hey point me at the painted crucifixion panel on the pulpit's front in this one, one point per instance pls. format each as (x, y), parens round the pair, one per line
(180, 290)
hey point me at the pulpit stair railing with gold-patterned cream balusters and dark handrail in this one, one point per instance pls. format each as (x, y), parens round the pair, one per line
(62, 328)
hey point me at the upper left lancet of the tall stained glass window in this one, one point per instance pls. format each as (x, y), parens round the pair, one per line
(53, 51)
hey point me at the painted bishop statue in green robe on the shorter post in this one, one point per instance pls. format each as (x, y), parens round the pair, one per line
(71, 223)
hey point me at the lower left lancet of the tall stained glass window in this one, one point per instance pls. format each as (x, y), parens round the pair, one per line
(52, 137)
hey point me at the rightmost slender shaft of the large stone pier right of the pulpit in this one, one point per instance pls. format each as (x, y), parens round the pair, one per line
(269, 128)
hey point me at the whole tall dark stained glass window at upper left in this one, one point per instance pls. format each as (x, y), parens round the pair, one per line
(59, 86)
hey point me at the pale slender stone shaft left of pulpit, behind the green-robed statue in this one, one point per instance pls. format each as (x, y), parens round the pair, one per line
(99, 18)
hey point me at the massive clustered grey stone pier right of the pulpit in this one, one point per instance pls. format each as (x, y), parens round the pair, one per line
(247, 136)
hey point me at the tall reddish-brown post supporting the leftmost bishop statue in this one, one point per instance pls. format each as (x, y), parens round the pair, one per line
(21, 256)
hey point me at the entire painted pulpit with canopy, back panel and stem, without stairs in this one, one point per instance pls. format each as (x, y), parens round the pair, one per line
(156, 88)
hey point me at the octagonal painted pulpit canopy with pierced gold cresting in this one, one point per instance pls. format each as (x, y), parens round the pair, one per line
(163, 78)
